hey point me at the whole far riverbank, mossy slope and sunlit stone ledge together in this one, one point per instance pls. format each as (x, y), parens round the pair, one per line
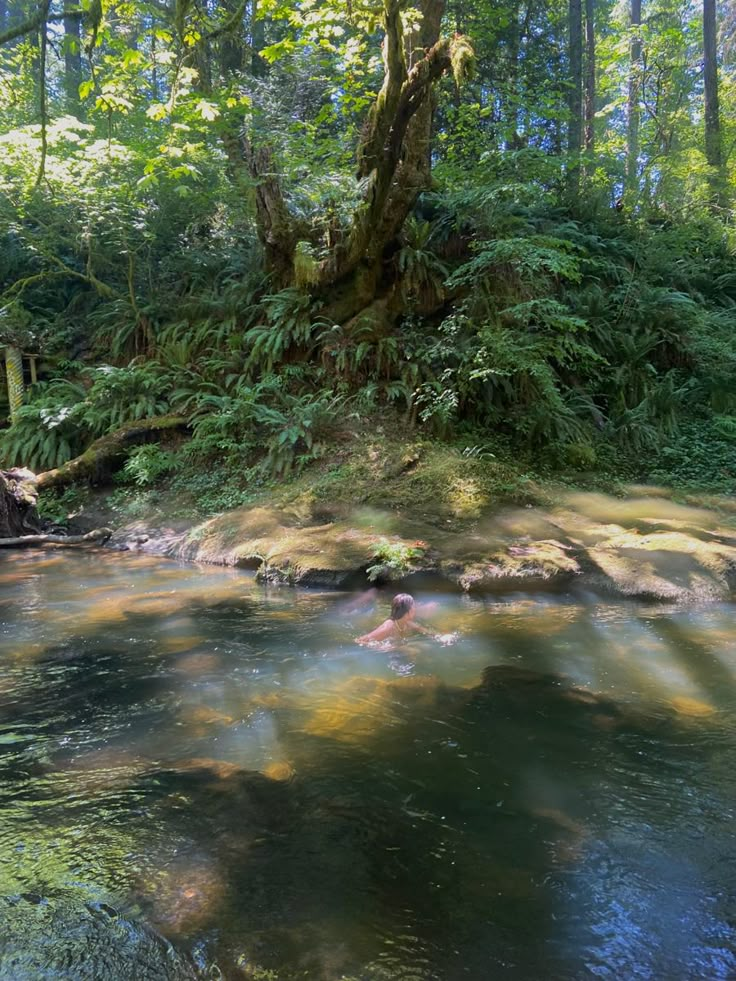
(385, 510)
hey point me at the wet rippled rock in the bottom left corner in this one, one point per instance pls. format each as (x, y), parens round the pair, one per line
(55, 938)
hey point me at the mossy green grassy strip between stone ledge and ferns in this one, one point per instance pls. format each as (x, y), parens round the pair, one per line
(448, 484)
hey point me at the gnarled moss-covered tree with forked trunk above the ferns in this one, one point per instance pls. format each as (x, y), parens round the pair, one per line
(393, 168)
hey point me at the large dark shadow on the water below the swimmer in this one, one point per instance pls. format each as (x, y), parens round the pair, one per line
(468, 853)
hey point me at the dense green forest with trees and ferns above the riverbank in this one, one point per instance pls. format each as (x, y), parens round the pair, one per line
(508, 225)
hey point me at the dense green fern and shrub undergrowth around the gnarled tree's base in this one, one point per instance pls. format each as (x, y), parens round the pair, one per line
(575, 336)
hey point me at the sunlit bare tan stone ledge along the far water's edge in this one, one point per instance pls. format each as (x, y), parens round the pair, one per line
(644, 547)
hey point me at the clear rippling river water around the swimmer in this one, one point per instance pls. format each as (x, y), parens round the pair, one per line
(552, 797)
